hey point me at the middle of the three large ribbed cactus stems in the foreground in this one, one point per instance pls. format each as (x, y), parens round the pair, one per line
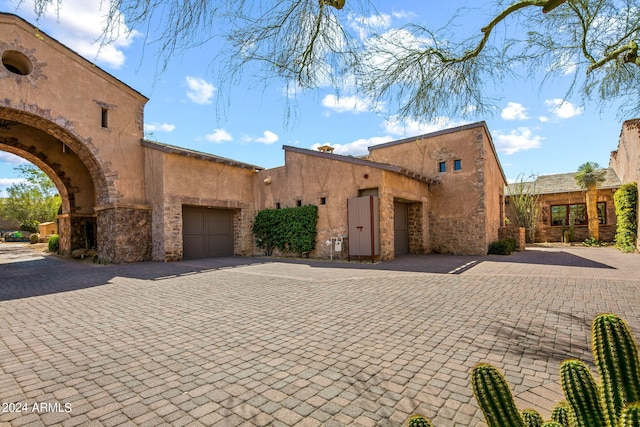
(582, 394)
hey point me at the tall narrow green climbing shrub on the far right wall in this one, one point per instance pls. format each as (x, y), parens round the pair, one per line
(626, 201)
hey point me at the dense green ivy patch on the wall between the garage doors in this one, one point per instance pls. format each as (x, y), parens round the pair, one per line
(288, 230)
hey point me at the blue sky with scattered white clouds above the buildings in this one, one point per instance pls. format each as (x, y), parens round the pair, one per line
(535, 130)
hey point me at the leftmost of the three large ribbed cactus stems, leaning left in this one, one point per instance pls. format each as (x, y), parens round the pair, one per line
(494, 397)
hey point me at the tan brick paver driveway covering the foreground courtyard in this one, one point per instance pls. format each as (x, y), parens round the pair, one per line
(256, 341)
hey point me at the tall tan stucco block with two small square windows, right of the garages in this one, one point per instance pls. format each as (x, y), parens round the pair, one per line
(464, 209)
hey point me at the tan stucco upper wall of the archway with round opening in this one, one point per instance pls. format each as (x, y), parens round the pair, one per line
(69, 93)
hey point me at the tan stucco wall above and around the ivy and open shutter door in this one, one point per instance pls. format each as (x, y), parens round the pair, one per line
(308, 178)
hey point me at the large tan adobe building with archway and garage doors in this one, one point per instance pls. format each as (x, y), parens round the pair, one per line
(132, 199)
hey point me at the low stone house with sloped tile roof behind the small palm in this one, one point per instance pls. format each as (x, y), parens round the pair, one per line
(562, 201)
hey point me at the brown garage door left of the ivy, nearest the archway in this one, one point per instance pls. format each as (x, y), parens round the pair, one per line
(206, 232)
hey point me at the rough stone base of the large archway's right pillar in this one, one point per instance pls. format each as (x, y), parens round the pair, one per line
(124, 234)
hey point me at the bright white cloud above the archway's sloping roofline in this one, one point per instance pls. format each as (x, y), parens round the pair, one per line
(79, 24)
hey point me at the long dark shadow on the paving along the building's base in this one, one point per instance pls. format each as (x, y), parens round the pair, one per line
(26, 273)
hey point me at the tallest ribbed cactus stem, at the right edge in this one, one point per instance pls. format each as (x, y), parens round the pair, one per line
(616, 356)
